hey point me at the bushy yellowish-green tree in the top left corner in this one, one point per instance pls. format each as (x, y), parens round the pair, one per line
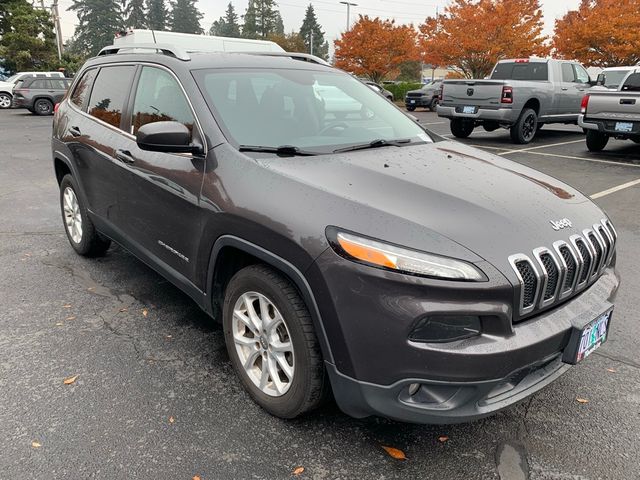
(28, 39)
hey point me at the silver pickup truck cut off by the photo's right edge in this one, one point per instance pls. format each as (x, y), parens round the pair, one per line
(606, 114)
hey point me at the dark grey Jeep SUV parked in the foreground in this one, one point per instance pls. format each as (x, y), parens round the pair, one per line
(408, 273)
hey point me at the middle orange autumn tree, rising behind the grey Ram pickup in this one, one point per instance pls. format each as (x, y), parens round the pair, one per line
(472, 35)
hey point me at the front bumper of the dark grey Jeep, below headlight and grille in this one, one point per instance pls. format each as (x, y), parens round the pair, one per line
(376, 363)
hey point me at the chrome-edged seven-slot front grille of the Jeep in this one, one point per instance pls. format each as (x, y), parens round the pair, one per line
(552, 274)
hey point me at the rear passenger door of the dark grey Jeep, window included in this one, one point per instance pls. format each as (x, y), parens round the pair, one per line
(94, 134)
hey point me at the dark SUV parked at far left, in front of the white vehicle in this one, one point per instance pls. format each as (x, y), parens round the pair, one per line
(39, 95)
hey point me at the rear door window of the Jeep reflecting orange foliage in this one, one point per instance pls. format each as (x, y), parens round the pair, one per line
(110, 91)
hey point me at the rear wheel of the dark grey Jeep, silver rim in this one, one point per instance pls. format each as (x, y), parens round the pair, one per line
(82, 235)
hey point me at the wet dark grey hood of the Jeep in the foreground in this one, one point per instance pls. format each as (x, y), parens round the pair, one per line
(442, 197)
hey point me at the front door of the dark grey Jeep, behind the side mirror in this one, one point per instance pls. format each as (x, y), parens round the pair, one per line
(163, 189)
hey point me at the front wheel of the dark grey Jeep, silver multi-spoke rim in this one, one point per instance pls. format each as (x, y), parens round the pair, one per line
(272, 343)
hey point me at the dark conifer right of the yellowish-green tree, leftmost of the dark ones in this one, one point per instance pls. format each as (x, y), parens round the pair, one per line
(98, 21)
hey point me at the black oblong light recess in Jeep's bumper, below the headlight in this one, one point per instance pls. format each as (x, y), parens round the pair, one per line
(446, 328)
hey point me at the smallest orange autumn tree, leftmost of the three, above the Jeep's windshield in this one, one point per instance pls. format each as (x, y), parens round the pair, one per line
(375, 48)
